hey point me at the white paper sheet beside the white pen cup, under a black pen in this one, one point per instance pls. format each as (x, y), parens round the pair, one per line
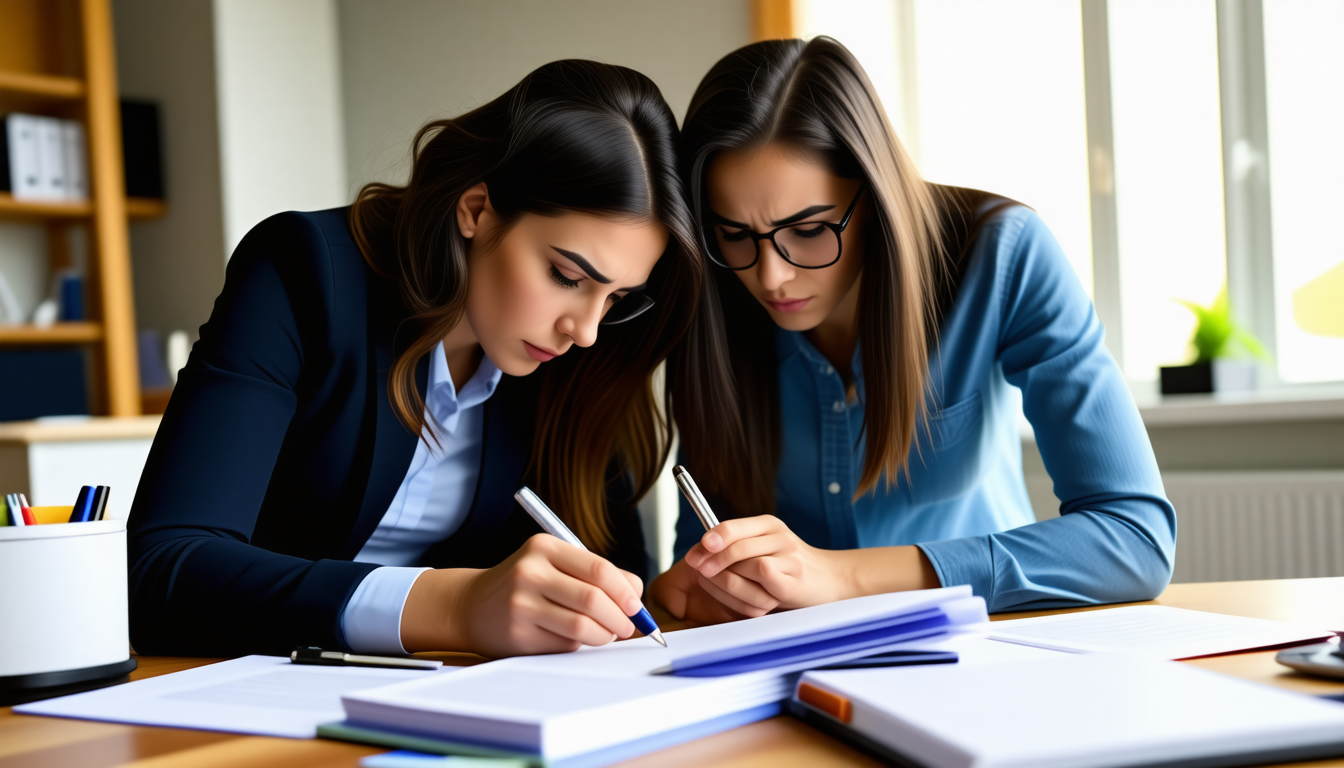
(263, 696)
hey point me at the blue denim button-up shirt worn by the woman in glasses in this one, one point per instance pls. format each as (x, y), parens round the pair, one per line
(1021, 321)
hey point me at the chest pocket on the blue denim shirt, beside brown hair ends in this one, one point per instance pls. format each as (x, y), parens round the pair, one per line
(946, 463)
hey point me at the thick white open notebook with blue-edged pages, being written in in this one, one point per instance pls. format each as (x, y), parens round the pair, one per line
(597, 705)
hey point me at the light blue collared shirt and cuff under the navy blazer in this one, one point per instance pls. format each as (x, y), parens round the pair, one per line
(429, 506)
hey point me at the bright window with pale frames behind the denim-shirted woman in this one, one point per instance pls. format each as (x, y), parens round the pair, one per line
(995, 96)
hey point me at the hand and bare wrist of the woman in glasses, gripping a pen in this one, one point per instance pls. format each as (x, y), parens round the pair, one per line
(755, 566)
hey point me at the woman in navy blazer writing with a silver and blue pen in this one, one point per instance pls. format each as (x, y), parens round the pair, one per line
(303, 414)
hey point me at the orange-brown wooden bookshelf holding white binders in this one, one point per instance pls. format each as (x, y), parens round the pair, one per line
(57, 59)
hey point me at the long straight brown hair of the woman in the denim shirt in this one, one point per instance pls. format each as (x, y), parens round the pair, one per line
(812, 96)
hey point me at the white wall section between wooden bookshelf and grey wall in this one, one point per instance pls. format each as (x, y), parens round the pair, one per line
(283, 145)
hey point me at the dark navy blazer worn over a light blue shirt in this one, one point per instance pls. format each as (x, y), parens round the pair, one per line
(280, 453)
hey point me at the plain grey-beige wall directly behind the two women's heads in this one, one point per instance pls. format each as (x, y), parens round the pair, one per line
(407, 63)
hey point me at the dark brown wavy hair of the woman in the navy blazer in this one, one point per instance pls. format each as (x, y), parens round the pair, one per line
(572, 137)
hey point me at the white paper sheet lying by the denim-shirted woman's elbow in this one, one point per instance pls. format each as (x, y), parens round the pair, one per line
(1155, 631)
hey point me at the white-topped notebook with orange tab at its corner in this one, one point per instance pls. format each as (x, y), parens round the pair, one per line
(1104, 711)
